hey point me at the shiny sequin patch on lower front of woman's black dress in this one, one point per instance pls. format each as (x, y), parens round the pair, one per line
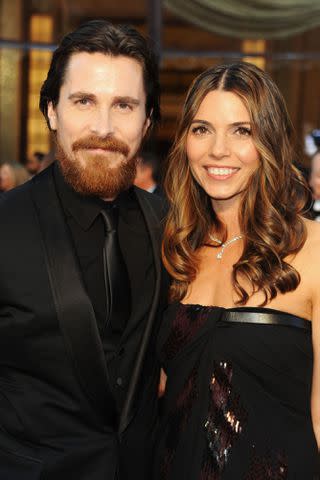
(224, 422)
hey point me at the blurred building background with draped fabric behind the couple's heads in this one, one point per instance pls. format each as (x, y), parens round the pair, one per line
(280, 36)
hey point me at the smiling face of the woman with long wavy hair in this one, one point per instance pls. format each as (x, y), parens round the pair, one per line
(220, 148)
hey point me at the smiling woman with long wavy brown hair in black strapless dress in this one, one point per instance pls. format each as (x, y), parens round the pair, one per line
(236, 341)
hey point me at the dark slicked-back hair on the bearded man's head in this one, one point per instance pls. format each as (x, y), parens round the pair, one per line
(103, 37)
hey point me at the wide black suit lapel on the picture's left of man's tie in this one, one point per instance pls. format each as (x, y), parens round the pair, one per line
(74, 309)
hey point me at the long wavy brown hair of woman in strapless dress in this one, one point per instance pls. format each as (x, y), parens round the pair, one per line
(272, 205)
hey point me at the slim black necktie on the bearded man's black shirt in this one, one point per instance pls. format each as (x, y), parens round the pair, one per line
(116, 275)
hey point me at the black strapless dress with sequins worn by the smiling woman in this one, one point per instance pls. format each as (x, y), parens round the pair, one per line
(237, 401)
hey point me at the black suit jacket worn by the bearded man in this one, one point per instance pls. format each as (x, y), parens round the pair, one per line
(57, 408)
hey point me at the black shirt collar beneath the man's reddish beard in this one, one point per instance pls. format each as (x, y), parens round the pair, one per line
(85, 209)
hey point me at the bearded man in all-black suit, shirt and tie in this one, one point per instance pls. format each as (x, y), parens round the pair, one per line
(78, 371)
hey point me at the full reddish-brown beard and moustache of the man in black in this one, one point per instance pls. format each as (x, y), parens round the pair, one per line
(93, 175)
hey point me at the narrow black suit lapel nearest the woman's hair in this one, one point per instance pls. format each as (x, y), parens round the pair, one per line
(152, 222)
